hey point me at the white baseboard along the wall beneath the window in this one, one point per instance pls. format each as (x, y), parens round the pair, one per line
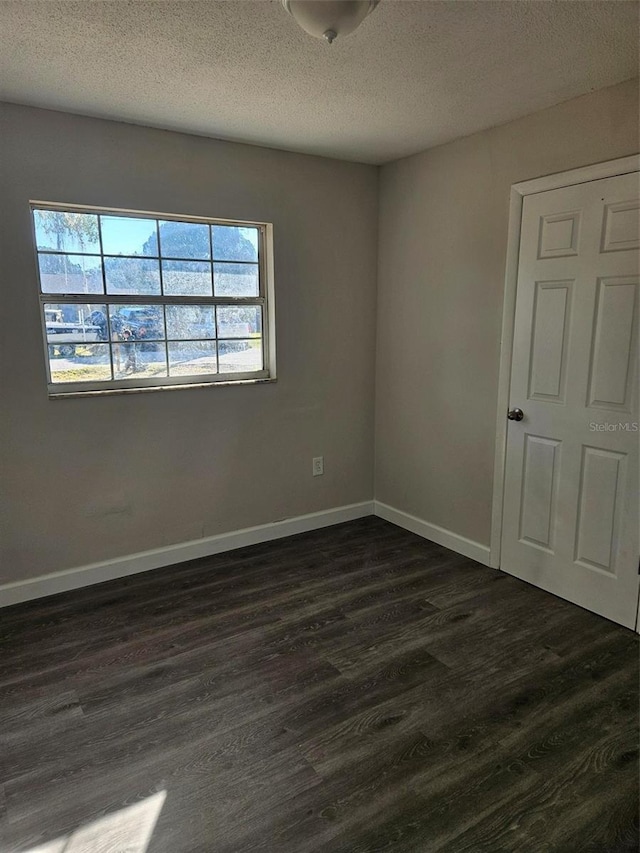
(19, 591)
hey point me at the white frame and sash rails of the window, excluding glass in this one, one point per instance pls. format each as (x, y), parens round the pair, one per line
(265, 299)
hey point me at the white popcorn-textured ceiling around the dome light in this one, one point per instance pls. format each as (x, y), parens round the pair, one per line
(414, 75)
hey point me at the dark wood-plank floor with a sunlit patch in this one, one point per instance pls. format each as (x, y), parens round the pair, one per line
(350, 690)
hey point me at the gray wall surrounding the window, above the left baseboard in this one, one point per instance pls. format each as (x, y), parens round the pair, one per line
(89, 479)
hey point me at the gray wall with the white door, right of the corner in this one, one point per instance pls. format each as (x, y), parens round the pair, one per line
(442, 245)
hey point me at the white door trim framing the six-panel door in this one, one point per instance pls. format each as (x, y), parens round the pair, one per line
(610, 169)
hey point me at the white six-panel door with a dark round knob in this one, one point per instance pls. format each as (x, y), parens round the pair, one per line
(570, 522)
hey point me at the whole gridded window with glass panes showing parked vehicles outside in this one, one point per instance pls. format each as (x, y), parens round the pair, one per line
(134, 300)
